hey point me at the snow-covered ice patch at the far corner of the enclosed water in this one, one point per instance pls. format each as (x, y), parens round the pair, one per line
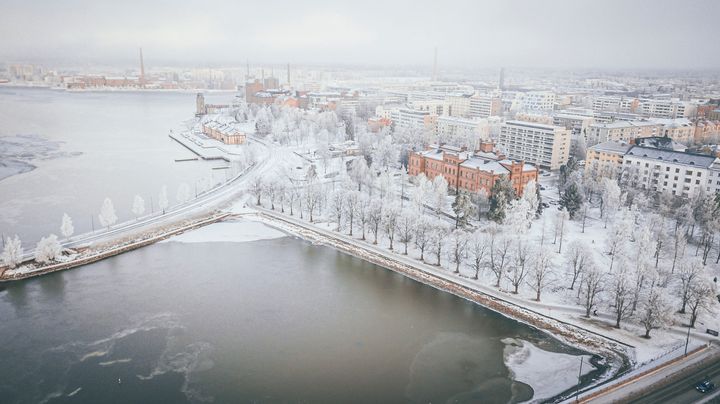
(234, 232)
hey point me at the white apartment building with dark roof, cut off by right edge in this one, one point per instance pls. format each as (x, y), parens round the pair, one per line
(679, 173)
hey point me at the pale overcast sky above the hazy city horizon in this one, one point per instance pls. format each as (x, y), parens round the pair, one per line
(564, 34)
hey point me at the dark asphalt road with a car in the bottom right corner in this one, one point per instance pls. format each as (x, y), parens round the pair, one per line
(682, 389)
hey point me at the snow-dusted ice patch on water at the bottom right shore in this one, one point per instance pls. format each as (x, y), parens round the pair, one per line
(548, 373)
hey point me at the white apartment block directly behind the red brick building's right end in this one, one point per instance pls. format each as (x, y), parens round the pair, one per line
(547, 146)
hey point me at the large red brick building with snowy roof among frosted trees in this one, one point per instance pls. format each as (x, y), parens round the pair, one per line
(471, 171)
